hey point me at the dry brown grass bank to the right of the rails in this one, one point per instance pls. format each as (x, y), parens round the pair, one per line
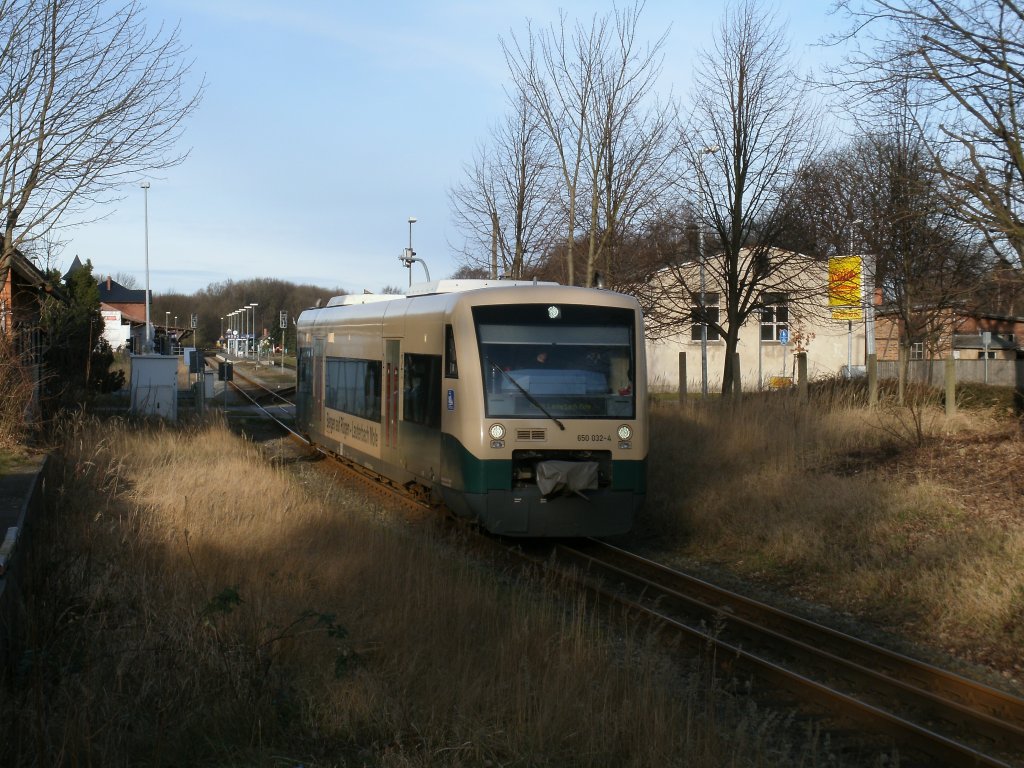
(900, 516)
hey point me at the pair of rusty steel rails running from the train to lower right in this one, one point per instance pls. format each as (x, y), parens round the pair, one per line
(803, 641)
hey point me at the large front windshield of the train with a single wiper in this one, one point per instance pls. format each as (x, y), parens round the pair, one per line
(567, 362)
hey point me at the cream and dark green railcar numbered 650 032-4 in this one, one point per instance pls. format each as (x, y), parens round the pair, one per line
(518, 404)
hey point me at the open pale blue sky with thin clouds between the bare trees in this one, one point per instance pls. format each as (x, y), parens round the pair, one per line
(326, 125)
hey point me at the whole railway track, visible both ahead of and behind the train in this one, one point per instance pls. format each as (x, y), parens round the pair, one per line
(922, 709)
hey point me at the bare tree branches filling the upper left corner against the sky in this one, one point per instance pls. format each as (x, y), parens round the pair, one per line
(91, 101)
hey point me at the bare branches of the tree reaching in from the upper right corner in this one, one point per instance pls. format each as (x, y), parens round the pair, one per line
(966, 59)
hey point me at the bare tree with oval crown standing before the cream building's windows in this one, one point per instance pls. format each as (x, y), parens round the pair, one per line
(752, 126)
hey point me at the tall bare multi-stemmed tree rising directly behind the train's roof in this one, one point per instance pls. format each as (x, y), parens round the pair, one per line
(591, 89)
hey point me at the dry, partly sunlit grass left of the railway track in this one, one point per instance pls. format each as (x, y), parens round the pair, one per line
(193, 606)
